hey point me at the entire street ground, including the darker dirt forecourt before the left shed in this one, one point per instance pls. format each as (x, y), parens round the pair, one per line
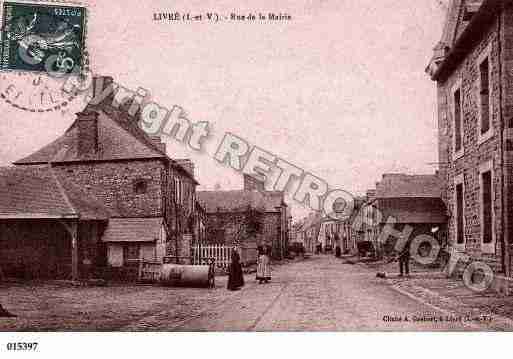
(322, 293)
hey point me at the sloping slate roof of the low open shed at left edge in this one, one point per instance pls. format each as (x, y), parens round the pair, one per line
(38, 192)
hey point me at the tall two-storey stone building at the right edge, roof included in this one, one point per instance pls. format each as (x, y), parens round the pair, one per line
(472, 68)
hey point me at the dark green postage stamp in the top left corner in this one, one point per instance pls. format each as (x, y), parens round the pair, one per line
(42, 38)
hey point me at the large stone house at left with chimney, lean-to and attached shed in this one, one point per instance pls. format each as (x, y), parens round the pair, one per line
(144, 201)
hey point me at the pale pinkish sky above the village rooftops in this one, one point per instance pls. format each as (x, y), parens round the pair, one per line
(339, 90)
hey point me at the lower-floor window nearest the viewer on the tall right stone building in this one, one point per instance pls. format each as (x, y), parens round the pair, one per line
(487, 215)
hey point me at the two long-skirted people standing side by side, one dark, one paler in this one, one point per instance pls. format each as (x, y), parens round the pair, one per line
(263, 275)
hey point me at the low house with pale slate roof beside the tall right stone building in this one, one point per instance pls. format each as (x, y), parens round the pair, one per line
(410, 200)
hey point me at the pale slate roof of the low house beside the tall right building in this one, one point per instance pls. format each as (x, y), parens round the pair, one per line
(410, 186)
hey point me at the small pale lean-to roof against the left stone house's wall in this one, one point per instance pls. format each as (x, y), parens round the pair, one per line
(133, 230)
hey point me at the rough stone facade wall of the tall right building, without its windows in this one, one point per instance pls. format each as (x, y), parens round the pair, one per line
(474, 153)
